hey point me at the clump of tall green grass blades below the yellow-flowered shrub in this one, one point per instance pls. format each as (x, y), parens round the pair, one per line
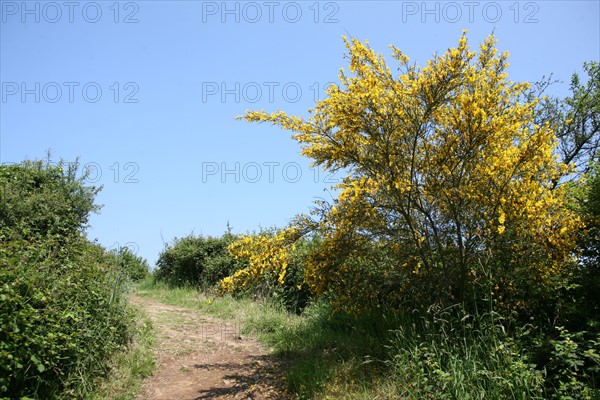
(444, 355)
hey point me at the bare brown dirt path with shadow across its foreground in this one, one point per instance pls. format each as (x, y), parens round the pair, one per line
(201, 357)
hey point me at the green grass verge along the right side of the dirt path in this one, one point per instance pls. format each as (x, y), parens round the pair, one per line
(435, 355)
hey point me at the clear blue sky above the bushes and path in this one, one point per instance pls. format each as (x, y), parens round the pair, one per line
(145, 93)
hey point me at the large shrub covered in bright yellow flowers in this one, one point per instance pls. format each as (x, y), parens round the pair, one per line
(449, 182)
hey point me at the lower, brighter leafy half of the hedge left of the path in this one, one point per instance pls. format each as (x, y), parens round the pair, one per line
(61, 318)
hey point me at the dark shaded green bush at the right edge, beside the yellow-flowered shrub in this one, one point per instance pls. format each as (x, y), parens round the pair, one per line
(569, 354)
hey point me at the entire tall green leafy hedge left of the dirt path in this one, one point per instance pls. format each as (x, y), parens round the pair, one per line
(61, 308)
